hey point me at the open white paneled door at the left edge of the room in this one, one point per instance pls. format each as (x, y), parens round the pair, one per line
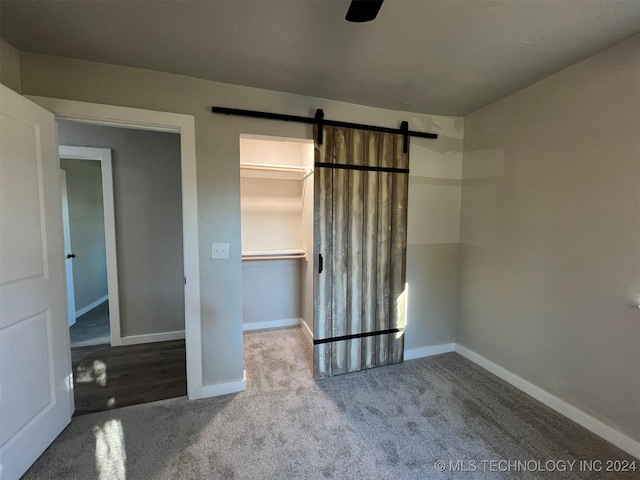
(36, 387)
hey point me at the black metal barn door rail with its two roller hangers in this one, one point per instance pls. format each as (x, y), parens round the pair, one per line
(320, 121)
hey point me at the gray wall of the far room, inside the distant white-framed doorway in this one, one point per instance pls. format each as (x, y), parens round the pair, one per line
(86, 224)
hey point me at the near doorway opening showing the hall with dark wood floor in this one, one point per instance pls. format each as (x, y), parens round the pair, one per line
(125, 260)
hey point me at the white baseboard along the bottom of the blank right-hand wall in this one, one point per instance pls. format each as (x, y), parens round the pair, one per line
(610, 434)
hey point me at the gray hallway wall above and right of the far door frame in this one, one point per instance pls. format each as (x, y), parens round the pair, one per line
(148, 213)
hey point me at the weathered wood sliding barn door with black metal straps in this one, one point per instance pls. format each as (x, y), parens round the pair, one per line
(360, 230)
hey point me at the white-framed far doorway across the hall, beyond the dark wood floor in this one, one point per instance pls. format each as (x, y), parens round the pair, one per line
(86, 188)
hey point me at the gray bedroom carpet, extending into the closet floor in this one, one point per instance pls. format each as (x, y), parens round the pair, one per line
(388, 423)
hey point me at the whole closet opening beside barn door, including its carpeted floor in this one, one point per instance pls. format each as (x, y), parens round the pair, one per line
(277, 211)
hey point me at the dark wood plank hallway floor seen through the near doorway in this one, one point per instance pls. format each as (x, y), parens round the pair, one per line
(108, 377)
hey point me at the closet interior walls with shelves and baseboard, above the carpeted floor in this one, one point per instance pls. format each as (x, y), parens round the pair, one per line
(277, 232)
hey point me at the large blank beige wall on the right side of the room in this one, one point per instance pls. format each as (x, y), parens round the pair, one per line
(550, 252)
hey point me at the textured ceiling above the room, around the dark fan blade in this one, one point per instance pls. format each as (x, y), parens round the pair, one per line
(447, 57)
